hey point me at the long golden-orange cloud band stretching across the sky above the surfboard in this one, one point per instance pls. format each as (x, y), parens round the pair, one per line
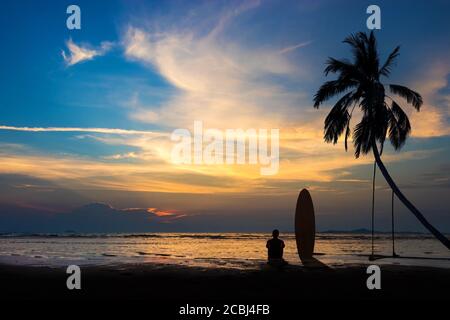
(151, 171)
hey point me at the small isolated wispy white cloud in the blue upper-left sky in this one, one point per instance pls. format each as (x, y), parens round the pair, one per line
(78, 53)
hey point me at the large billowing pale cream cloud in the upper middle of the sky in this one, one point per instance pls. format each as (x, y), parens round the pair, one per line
(213, 75)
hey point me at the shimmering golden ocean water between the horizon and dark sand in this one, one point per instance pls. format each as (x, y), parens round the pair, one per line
(244, 251)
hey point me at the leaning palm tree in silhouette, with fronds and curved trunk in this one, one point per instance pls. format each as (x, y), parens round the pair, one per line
(360, 85)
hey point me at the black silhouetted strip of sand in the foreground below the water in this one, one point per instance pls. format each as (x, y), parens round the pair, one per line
(178, 285)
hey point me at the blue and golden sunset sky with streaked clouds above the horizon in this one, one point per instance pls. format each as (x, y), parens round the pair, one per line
(86, 116)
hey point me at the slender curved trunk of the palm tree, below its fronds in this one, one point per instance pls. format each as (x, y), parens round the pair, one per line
(406, 202)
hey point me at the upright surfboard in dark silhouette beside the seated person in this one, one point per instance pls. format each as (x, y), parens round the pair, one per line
(305, 225)
